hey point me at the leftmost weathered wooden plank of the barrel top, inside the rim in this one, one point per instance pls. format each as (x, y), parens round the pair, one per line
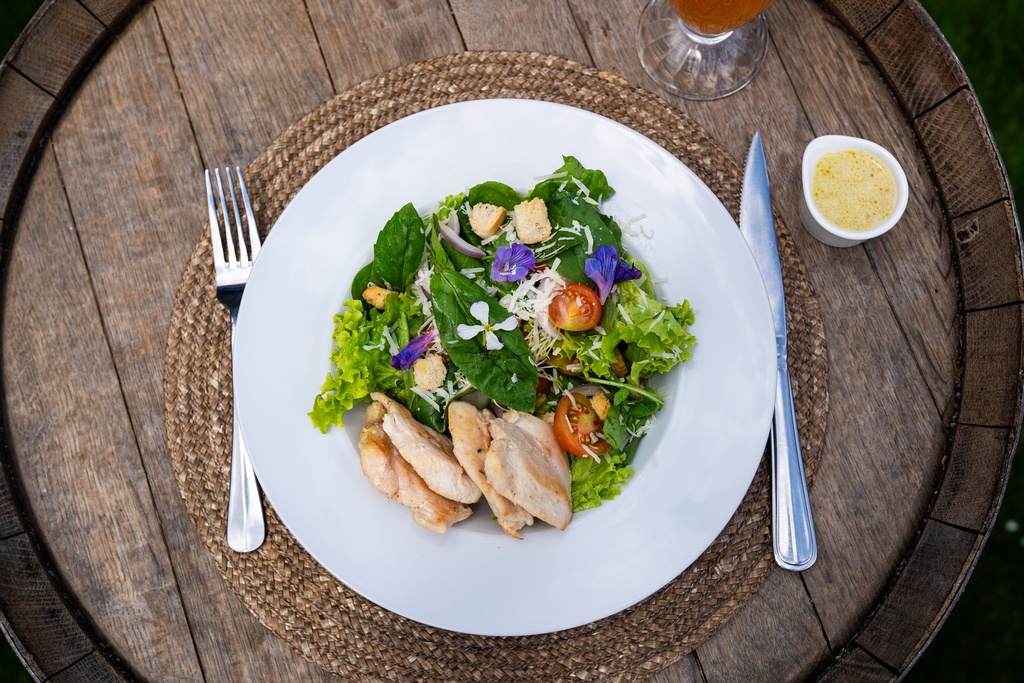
(88, 486)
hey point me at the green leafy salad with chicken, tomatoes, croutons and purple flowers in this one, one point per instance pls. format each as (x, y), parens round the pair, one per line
(525, 307)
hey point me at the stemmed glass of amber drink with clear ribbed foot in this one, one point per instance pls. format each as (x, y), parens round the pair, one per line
(703, 50)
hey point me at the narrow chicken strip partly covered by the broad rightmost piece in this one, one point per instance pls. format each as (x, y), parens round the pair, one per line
(472, 439)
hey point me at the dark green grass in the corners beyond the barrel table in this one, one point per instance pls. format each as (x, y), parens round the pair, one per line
(984, 639)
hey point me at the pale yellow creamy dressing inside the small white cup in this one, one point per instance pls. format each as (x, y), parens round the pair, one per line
(854, 190)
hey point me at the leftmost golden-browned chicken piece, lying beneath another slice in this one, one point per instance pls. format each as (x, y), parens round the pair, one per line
(392, 476)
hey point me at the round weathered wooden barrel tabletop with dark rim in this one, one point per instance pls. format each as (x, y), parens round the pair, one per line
(111, 109)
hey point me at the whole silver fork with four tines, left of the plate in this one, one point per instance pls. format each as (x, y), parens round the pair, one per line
(245, 513)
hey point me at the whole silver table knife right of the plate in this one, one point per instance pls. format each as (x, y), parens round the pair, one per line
(793, 529)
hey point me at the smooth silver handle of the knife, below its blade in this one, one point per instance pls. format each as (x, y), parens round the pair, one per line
(793, 529)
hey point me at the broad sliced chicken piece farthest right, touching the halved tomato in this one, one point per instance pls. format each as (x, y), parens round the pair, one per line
(526, 464)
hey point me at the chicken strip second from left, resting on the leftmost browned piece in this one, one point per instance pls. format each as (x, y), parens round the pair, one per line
(431, 454)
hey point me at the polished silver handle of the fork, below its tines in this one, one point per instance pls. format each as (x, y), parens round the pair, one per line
(245, 511)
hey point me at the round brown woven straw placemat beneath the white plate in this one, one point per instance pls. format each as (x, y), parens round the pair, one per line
(304, 605)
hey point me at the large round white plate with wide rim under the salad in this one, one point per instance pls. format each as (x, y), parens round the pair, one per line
(692, 472)
